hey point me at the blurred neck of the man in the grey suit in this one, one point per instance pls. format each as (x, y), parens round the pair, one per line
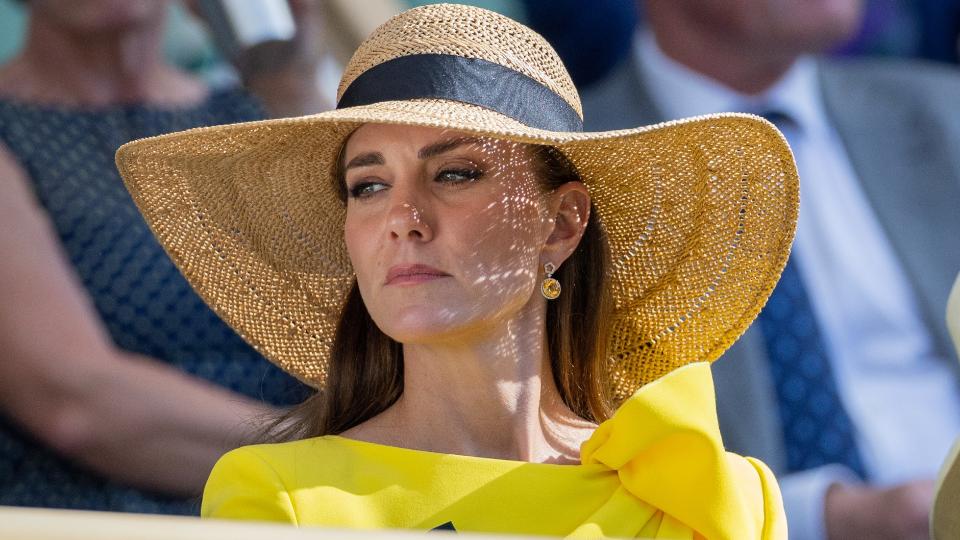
(720, 59)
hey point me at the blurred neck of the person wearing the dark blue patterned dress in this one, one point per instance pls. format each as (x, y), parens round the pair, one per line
(63, 66)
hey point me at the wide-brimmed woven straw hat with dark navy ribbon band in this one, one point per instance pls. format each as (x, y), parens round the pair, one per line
(699, 213)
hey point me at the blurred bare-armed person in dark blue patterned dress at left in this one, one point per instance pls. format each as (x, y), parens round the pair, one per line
(119, 388)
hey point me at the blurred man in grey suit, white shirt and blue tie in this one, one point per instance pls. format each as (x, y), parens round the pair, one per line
(847, 384)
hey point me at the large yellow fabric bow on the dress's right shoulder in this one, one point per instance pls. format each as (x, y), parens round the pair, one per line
(665, 444)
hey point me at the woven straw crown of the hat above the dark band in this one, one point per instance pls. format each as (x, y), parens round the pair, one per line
(468, 32)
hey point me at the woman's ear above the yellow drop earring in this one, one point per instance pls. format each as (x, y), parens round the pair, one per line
(569, 207)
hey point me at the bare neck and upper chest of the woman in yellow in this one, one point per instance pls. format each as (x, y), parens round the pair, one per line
(493, 396)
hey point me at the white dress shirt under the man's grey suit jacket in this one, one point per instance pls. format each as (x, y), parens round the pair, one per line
(903, 401)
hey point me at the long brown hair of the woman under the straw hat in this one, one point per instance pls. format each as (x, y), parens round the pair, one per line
(365, 373)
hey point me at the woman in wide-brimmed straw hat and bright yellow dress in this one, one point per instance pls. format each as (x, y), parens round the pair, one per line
(474, 285)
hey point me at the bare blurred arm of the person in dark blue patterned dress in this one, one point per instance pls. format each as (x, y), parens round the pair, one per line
(125, 416)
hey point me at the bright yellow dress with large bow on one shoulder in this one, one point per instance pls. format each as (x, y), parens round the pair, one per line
(656, 469)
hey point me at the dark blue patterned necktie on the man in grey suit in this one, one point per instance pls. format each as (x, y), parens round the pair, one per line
(817, 429)
